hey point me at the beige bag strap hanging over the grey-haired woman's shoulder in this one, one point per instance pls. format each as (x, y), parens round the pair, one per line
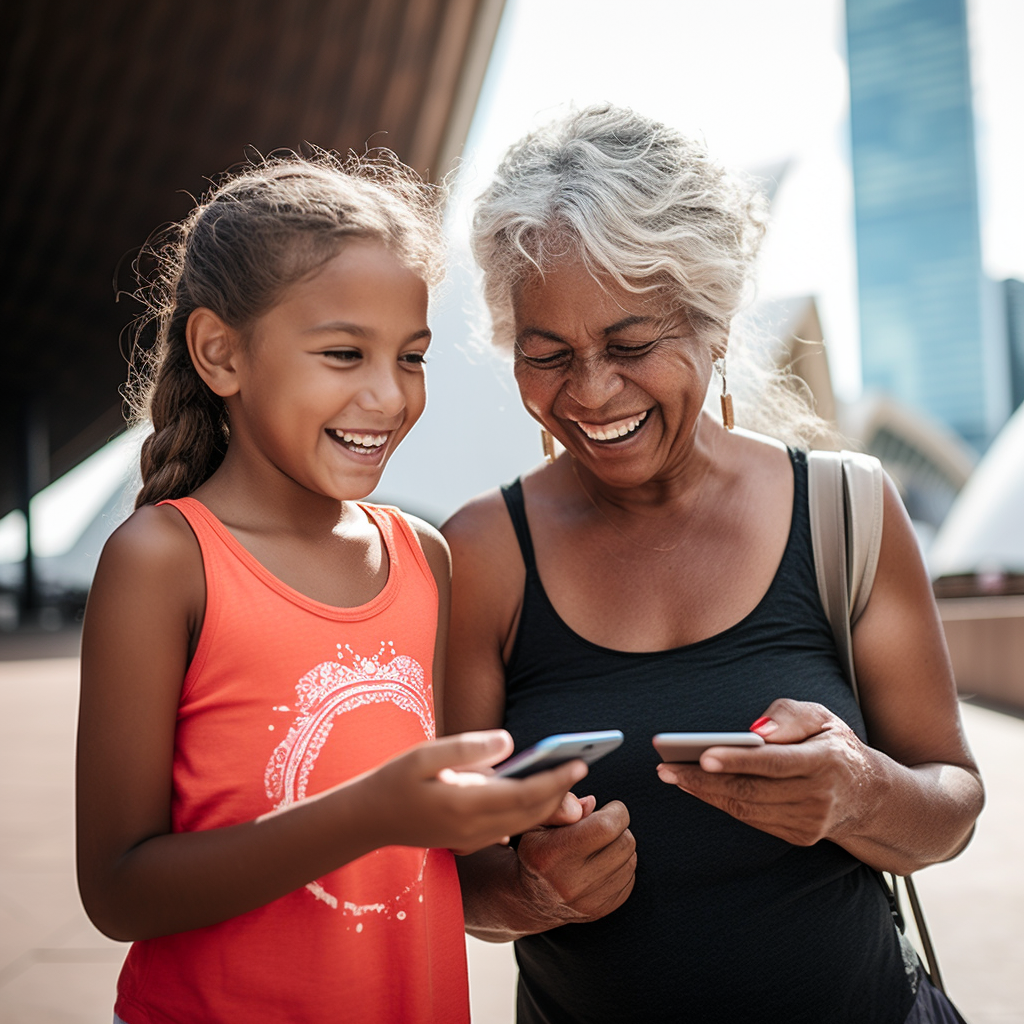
(845, 501)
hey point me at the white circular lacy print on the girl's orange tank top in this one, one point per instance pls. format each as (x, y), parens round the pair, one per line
(333, 689)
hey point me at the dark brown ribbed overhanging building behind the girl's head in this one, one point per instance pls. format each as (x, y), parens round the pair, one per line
(114, 114)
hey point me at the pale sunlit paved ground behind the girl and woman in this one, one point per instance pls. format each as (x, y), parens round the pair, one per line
(57, 969)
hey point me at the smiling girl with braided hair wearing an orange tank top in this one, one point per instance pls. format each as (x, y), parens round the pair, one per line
(263, 806)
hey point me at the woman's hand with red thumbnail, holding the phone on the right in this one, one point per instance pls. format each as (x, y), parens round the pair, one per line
(814, 779)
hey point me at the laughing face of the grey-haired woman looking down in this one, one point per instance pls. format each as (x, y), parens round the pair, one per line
(617, 377)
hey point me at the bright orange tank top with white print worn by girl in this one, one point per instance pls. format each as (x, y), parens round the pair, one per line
(285, 698)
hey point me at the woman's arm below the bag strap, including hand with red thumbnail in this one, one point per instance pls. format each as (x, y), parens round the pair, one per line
(909, 800)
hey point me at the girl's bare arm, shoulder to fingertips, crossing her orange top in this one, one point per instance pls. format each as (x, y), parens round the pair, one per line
(138, 880)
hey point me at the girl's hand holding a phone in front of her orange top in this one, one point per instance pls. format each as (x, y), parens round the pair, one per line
(442, 794)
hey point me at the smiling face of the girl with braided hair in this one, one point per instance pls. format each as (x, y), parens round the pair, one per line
(332, 378)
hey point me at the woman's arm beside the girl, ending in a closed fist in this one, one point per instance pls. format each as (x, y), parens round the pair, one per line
(582, 867)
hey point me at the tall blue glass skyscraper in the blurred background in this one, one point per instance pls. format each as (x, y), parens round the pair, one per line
(927, 319)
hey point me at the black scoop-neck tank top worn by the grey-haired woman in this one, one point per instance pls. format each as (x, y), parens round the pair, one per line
(726, 924)
